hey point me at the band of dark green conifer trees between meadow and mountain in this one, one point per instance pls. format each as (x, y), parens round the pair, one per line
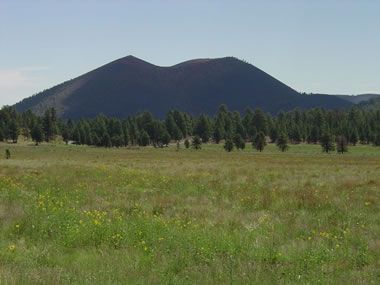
(330, 128)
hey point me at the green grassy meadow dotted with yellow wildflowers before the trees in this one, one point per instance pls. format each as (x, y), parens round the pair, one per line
(75, 214)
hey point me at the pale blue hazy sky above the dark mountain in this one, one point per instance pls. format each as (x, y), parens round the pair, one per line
(313, 46)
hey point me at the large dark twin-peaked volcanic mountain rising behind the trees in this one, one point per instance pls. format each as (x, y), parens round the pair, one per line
(130, 85)
